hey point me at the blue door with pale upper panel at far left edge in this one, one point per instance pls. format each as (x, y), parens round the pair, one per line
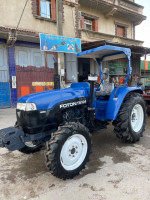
(4, 79)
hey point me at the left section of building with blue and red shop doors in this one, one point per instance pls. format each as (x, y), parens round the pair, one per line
(24, 69)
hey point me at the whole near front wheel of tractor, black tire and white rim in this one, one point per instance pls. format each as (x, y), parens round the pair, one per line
(68, 150)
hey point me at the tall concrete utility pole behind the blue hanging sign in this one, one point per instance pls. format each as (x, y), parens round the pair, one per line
(59, 15)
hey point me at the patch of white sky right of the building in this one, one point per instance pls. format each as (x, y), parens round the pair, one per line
(143, 30)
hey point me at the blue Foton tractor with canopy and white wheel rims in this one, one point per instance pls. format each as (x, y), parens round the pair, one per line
(64, 118)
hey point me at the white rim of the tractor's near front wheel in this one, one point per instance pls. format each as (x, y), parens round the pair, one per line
(73, 152)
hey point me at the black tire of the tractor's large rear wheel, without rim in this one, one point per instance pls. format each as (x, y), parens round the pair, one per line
(122, 125)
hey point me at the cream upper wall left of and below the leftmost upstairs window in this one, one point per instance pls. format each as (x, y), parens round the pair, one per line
(12, 14)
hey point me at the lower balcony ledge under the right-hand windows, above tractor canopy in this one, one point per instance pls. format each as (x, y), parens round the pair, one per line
(92, 36)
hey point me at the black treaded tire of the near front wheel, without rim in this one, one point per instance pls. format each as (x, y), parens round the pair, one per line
(57, 142)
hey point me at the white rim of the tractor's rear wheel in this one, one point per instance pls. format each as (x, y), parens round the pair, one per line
(137, 118)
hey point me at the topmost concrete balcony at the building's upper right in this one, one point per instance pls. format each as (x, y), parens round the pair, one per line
(123, 9)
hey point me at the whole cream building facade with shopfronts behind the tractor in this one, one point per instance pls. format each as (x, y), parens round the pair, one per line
(24, 69)
